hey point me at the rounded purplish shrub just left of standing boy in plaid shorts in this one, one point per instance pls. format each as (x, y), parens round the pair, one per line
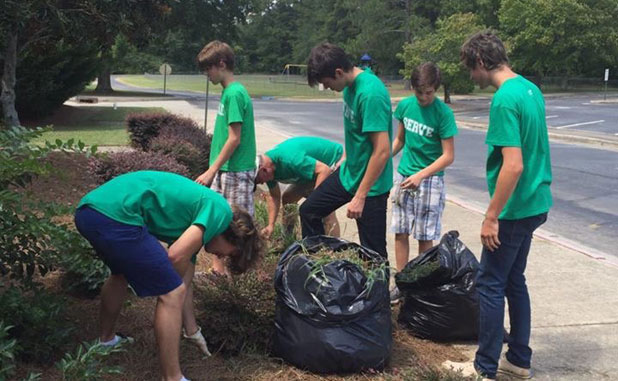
(182, 151)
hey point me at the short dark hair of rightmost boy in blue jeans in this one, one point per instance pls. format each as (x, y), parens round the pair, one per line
(485, 46)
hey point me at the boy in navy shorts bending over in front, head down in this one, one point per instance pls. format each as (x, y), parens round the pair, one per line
(124, 220)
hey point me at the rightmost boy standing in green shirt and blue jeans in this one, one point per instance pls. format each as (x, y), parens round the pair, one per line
(518, 177)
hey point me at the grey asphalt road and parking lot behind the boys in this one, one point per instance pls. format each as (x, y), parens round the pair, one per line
(585, 186)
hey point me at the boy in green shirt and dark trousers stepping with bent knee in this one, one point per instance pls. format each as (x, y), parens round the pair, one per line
(365, 176)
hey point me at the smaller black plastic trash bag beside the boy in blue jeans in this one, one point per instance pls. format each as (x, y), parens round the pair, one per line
(440, 298)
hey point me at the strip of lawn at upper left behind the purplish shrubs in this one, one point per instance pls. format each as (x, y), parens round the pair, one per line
(102, 126)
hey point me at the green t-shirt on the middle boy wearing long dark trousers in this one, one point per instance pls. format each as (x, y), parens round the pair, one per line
(366, 109)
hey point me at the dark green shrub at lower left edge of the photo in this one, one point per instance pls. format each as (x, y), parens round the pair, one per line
(37, 322)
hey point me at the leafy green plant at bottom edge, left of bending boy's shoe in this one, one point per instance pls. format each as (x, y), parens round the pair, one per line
(87, 364)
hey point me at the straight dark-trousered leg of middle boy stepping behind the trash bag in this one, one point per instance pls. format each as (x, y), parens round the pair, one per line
(372, 224)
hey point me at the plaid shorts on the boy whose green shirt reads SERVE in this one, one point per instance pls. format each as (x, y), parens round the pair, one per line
(418, 212)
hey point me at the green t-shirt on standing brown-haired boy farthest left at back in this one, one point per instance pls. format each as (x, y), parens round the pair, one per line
(235, 107)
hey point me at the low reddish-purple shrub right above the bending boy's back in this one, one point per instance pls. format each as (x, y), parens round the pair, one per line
(107, 167)
